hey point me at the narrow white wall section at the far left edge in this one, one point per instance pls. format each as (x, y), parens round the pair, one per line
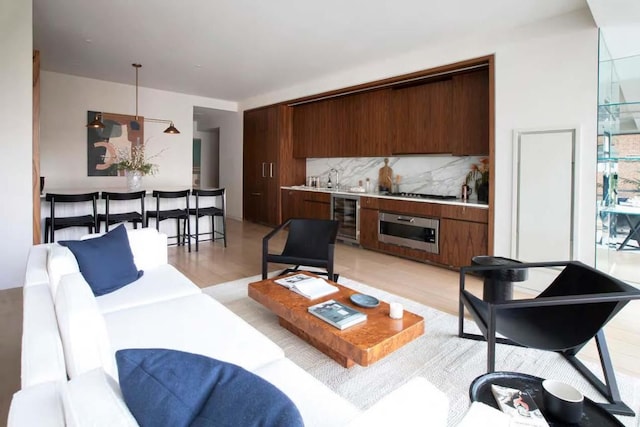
(16, 45)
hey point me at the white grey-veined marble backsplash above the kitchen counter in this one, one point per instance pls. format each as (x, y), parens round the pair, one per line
(418, 174)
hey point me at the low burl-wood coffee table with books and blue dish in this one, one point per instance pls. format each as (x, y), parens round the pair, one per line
(364, 343)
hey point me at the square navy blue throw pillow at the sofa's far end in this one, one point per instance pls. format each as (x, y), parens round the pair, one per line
(106, 262)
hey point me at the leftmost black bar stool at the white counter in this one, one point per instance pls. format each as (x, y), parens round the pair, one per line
(53, 223)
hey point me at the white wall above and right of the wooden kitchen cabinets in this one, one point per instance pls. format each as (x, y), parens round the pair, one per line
(546, 76)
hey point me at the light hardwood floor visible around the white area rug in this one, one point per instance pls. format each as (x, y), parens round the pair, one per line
(214, 264)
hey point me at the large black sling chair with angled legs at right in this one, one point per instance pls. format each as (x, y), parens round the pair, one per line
(571, 311)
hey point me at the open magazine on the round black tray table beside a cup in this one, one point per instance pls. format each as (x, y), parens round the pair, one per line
(519, 405)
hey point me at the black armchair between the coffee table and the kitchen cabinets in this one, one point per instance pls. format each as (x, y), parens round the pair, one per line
(310, 242)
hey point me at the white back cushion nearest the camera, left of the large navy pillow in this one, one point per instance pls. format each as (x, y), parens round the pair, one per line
(94, 399)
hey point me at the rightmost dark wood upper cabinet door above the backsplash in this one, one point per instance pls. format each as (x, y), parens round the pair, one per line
(470, 129)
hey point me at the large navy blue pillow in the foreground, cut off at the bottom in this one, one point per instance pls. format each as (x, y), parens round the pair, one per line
(173, 388)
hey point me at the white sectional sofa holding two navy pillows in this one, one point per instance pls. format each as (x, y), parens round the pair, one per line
(69, 372)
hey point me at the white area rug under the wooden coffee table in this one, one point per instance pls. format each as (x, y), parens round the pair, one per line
(449, 362)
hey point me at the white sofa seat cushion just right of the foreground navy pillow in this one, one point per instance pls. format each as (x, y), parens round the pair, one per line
(306, 392)
